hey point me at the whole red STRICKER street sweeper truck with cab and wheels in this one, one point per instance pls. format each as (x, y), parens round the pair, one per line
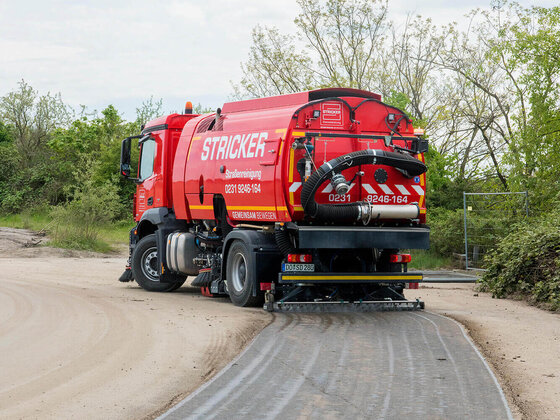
(298, 200)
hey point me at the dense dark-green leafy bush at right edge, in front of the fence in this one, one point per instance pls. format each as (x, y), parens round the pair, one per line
(527, 263)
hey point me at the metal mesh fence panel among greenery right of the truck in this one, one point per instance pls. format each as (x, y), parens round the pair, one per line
(488, 217)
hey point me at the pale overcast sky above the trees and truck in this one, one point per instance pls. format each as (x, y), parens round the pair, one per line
(100, 52)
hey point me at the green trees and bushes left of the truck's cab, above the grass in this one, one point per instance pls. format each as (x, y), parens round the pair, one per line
(40, 160)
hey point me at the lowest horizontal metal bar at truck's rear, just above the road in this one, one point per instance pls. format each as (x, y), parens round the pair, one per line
(346, 306)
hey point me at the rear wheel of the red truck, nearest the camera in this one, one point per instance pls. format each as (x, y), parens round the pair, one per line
(240, 277)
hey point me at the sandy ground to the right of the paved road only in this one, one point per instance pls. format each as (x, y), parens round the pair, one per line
(520, 342)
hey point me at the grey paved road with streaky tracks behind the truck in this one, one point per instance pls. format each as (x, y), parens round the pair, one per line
(381, 365)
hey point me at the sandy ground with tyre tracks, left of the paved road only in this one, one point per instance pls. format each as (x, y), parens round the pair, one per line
(76, 343)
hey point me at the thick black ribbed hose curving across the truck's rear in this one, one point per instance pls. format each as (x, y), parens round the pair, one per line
(349, 212)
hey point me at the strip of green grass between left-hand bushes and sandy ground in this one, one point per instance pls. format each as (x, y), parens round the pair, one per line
(110, 238)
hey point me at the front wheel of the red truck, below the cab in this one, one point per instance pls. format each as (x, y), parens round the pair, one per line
(145, 269)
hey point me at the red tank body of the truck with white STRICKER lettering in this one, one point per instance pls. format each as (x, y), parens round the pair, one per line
(245, 155)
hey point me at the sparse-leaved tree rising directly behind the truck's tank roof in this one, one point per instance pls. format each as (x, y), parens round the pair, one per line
(338, 44)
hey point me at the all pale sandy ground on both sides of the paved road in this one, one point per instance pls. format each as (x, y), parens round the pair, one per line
(75, 343)
